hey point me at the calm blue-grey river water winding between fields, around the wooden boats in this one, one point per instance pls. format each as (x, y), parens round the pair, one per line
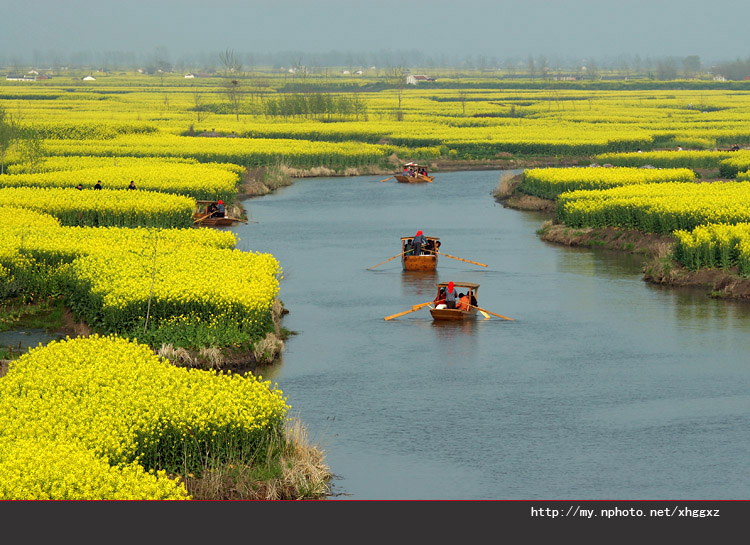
(604, 386)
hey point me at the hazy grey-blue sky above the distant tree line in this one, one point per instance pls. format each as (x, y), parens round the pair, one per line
(497, 28)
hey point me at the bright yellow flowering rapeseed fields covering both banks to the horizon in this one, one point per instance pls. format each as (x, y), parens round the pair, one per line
(151, 287)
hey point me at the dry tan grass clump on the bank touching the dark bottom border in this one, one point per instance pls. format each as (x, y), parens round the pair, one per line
(298, 472)
